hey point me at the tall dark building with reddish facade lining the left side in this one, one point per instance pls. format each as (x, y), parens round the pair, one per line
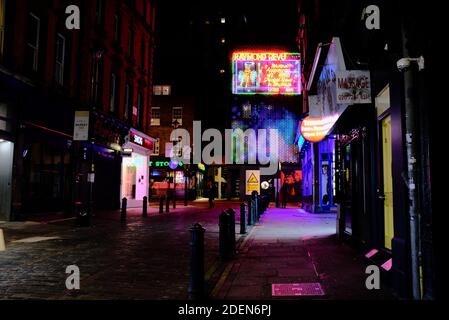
(49, 72)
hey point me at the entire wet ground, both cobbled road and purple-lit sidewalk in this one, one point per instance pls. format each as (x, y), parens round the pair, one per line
(148, 258)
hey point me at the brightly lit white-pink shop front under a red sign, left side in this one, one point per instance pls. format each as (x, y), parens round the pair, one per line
(135, 169)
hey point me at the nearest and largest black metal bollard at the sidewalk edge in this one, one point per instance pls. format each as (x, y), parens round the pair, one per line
(196, 279)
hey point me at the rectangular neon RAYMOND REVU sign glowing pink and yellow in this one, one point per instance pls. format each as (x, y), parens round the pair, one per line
(266, 73)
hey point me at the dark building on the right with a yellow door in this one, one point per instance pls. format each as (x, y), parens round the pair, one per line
(371, 140)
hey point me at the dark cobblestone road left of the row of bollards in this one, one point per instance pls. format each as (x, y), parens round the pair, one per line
(146, 258)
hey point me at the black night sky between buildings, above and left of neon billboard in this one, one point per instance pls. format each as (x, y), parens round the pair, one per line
(189, 54)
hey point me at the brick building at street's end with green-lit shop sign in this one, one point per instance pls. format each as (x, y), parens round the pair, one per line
(171, 111)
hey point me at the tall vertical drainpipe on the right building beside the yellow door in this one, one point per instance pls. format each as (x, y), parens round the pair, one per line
(412, 177)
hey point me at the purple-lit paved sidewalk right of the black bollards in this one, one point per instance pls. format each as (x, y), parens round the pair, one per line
(291, 246)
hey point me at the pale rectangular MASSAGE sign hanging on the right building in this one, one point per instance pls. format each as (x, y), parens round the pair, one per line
(353, 86)
